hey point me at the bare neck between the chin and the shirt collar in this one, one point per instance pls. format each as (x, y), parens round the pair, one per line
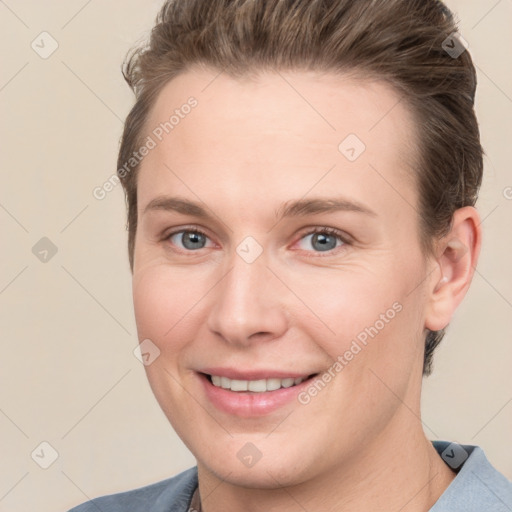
(402, 473)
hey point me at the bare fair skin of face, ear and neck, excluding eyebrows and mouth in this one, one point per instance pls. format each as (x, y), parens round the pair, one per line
(246, 149)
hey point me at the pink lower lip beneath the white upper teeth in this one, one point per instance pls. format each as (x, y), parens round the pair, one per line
(249, 404)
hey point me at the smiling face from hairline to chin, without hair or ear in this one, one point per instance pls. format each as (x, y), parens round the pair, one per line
(271, 249)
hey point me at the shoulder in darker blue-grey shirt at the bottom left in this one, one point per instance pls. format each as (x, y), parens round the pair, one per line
(171, 494)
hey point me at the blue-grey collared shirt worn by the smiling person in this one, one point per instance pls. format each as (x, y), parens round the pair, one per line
(478, 487)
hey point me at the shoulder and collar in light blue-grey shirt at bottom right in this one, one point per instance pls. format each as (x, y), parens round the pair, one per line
(478, 485)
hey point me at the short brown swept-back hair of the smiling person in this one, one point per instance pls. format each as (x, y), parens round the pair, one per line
(404, 42)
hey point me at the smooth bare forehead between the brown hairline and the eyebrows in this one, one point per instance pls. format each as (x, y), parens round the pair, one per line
(277, 131)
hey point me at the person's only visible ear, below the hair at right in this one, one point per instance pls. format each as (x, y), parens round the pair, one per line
(455, 261)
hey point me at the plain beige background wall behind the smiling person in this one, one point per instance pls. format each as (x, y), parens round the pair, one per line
(69, 376)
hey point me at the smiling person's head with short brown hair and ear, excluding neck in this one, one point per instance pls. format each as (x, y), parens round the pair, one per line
(278, 106)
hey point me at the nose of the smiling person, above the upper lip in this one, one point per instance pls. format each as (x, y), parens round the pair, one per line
(248, 304)
